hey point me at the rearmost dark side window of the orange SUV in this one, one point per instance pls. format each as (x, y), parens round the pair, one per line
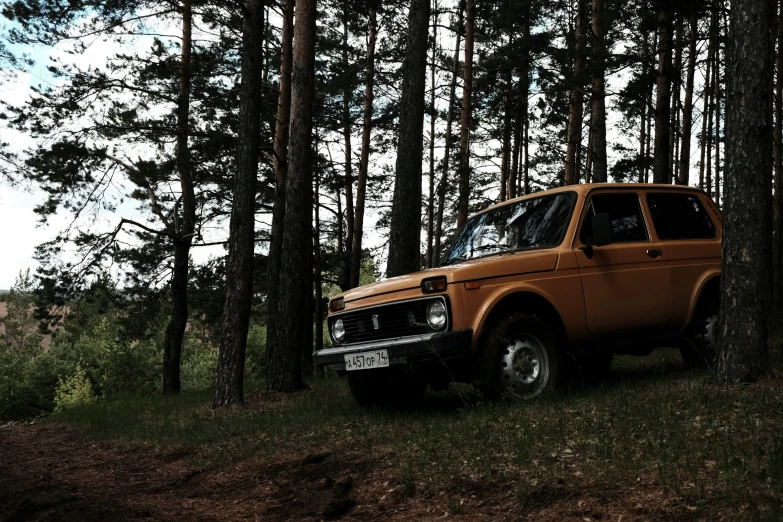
(679, 216)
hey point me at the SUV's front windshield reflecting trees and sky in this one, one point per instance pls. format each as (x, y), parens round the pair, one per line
(526, 225)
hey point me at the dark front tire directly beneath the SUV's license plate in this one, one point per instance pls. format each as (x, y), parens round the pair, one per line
(385, 387)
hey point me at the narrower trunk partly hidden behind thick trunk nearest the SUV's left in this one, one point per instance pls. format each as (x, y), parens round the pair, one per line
(283, 121)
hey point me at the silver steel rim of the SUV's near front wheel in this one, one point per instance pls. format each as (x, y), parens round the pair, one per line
(524, 367)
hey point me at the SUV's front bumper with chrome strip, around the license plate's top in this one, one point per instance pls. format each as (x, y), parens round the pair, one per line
(445, 345)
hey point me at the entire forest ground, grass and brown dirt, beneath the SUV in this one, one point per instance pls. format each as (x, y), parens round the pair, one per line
(651, 443)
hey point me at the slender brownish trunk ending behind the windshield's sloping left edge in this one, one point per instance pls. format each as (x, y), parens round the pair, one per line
(465, 117)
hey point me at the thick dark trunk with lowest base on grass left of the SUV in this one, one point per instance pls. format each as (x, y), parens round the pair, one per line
(239, 270)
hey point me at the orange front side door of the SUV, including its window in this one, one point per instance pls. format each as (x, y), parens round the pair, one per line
(627, 284)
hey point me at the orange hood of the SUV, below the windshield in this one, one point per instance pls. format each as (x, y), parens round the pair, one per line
(493, 266)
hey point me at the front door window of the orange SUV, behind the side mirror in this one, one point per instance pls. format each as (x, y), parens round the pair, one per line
(625, 214)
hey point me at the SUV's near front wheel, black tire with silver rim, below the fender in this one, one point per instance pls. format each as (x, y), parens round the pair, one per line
(519, 359)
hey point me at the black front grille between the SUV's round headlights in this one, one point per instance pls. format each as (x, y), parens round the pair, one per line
(387, 321)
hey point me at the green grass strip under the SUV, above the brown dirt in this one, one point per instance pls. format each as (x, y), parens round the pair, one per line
(707, 447)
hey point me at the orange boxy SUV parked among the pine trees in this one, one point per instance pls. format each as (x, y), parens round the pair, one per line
(535, 288)
